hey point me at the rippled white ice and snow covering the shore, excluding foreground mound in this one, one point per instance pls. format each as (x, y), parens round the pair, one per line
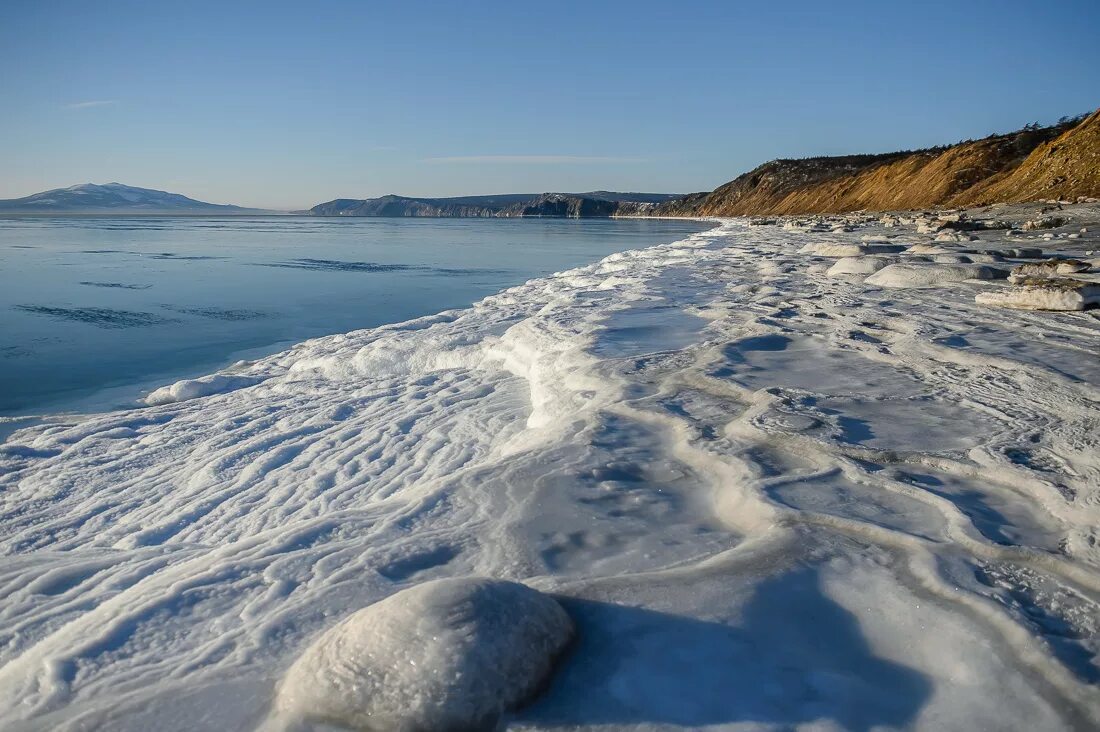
(767, 498)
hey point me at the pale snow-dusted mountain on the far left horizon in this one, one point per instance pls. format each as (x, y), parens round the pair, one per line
(113, 199)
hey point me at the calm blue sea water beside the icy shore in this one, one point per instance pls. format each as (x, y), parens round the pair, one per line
(96, 311)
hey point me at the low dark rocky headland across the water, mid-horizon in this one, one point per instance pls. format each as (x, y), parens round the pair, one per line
(585, 205)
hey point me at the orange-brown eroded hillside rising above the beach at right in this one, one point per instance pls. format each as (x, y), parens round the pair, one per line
(1057, 162)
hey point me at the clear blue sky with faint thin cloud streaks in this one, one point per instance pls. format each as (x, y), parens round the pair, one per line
(285, 105)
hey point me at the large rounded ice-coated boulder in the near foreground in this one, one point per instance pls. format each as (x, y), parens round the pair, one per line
(450, 654)
